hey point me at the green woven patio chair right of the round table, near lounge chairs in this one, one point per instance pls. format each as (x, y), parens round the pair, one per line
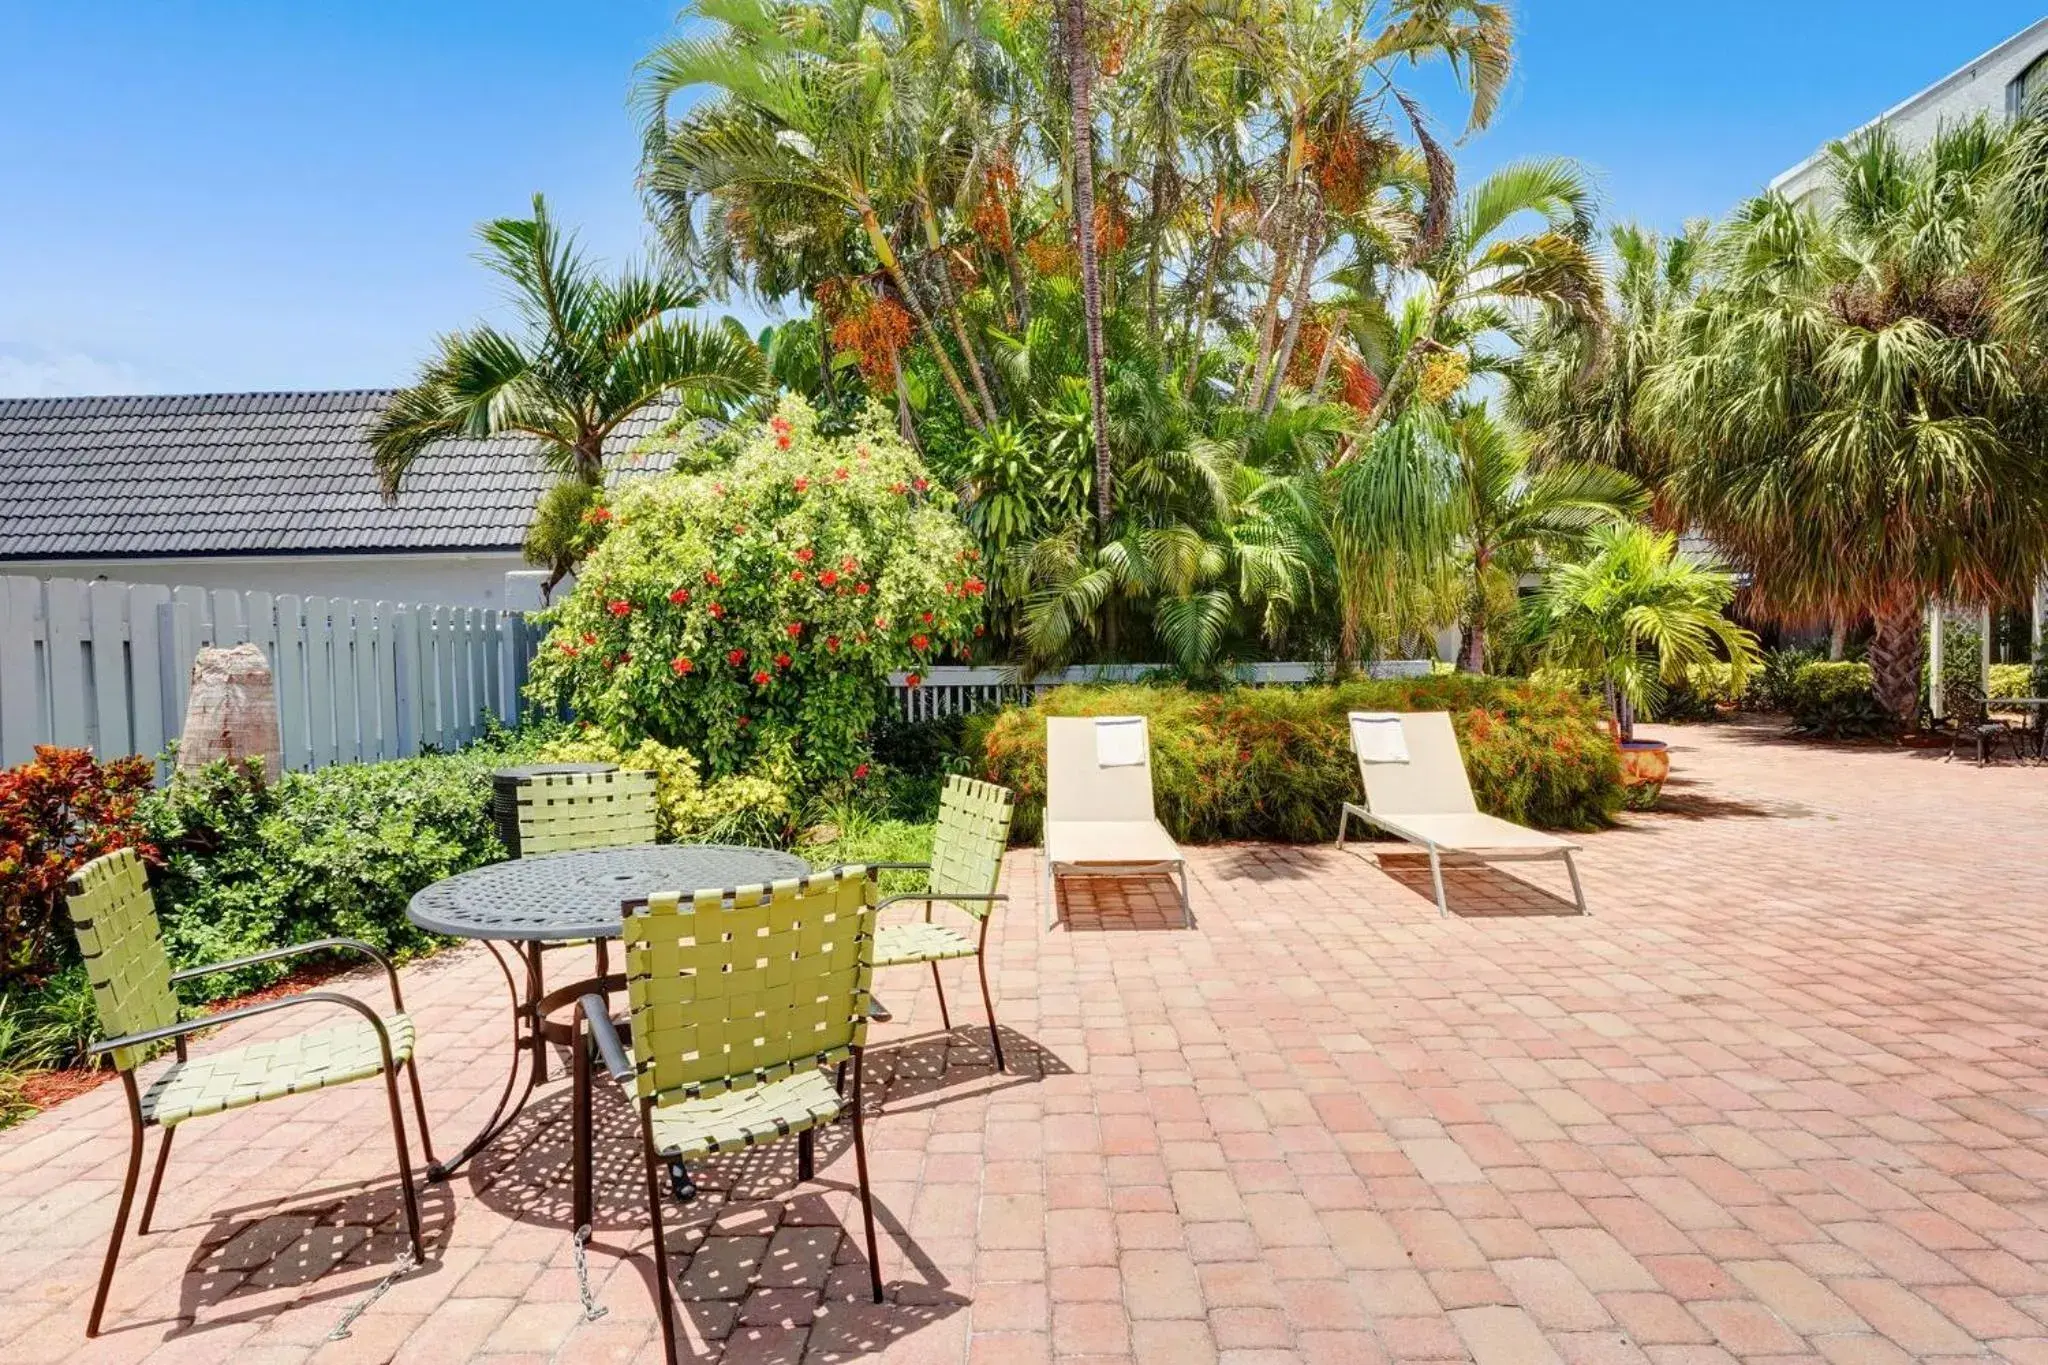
(968, 863)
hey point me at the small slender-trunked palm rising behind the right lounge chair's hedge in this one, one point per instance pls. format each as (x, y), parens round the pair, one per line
(1517, 515)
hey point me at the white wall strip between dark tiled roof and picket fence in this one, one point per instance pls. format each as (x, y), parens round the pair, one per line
(435, 580)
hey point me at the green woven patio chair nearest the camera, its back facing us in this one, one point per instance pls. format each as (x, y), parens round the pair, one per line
(738, 1004)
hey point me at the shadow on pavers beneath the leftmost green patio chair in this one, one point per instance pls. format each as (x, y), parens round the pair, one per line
(327, 1245)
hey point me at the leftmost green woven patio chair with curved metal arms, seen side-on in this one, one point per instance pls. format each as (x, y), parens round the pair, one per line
(132, 992)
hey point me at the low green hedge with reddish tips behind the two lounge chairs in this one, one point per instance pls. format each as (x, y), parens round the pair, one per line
(1277, 762)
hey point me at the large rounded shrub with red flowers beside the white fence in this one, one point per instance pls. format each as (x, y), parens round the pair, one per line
(755, 613)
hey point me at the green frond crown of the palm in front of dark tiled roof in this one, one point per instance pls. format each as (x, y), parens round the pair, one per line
(589, 355)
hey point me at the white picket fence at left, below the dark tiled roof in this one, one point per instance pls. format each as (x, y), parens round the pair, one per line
(110, 666)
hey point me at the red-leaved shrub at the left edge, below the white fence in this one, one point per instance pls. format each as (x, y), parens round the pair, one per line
(58, 813)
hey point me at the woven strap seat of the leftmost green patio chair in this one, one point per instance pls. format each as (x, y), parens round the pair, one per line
(296, 1065)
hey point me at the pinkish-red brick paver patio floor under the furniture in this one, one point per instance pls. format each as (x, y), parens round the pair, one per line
(1779, 1100)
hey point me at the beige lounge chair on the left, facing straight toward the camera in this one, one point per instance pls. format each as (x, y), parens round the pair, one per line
(1099, 811)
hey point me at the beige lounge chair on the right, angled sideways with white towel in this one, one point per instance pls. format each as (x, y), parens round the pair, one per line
(1426, 799)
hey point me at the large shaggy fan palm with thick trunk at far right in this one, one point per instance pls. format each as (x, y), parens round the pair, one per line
(1844, 408)
